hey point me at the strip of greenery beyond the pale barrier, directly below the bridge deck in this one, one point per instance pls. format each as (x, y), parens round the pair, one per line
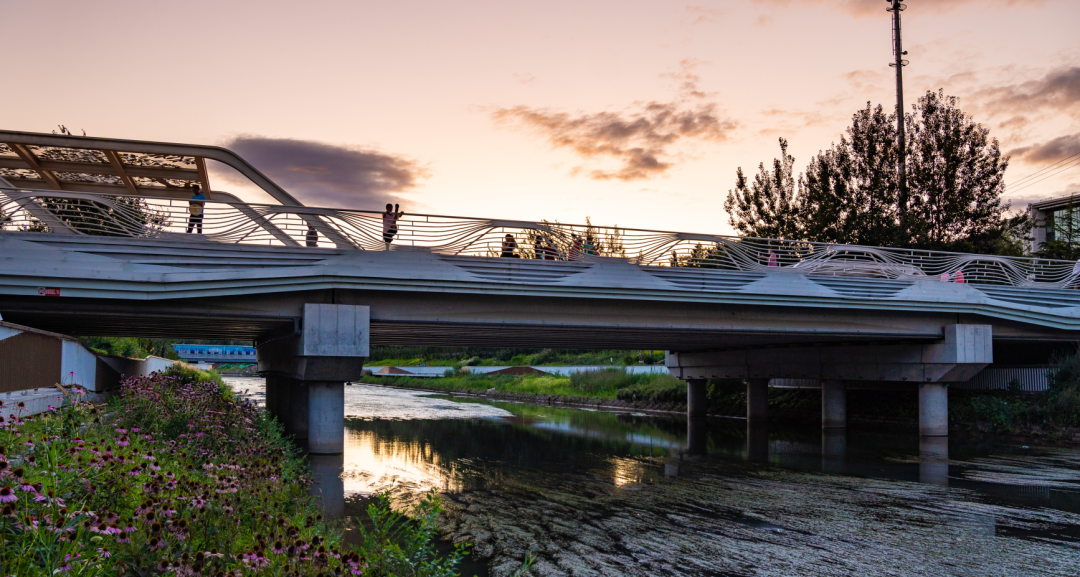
(470, 357)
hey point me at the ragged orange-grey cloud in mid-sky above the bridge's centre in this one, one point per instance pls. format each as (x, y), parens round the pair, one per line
(642, 139)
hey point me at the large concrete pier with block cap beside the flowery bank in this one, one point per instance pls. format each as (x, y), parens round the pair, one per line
(306, 373)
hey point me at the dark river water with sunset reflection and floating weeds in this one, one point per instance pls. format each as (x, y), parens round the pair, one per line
(599, 493)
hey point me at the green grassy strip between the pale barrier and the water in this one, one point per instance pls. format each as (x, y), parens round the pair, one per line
(607, 384)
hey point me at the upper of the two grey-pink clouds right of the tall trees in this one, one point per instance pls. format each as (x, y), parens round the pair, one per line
(1058, 91)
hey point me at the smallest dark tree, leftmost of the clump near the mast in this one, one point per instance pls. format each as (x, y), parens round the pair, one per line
(768, 208)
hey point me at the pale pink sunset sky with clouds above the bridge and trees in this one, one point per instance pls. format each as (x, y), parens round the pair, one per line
(633, 113)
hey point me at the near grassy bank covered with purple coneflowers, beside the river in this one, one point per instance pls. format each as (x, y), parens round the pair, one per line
(177, 477)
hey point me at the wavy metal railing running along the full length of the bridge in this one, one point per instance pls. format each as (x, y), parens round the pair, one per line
(306, 227)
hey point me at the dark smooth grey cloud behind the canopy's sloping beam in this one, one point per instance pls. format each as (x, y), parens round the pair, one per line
(327, 175)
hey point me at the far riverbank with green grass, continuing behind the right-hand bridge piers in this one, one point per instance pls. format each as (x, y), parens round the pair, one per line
(1052, 417)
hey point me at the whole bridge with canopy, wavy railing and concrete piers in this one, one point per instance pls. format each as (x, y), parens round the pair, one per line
(98, 237)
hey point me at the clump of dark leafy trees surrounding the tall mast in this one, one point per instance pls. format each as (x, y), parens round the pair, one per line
(849, 194)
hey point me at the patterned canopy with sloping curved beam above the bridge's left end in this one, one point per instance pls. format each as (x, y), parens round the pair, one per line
(123, 168)
